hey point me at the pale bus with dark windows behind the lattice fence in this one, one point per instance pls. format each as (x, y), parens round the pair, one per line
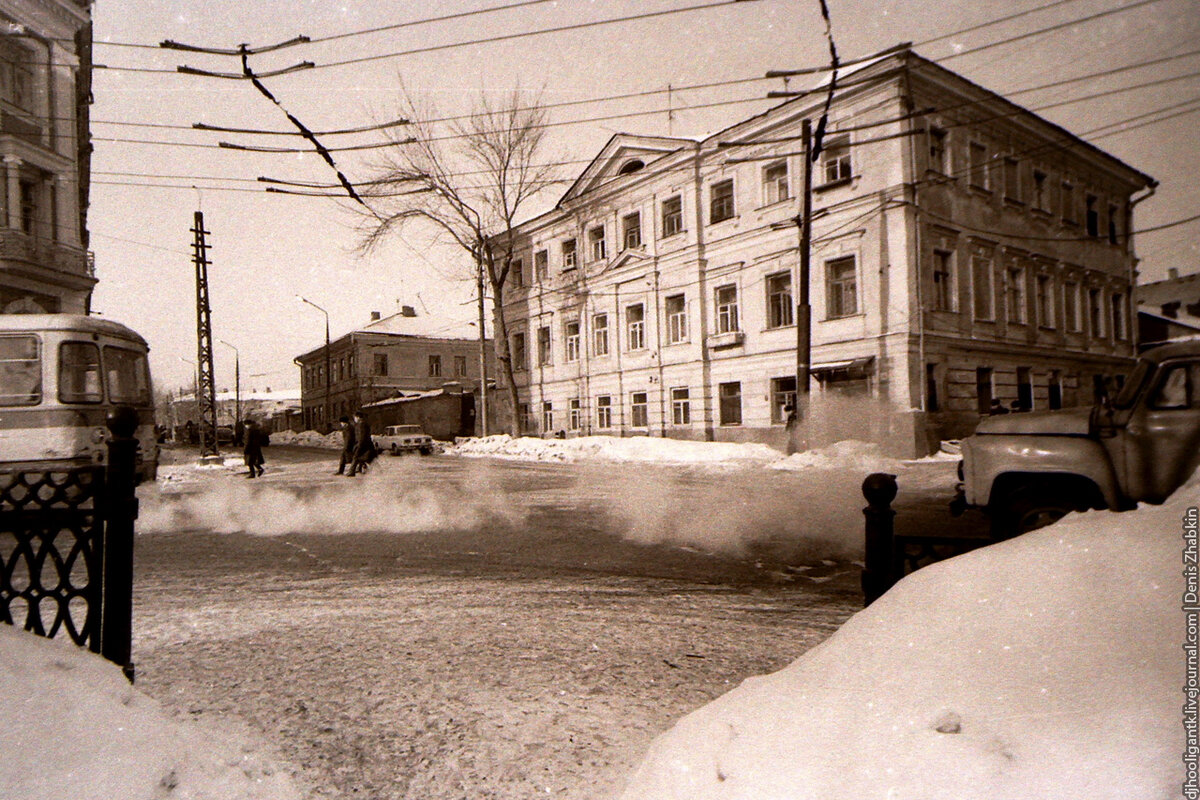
(61, 376)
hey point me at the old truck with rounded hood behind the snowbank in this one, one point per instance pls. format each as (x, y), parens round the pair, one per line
(1029, 470)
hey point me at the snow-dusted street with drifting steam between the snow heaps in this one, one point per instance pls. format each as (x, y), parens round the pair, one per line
(527, 630)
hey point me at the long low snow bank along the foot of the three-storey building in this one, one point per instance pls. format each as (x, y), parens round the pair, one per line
(615, 449)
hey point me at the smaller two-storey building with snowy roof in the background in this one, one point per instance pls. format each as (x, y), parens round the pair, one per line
(391, 357)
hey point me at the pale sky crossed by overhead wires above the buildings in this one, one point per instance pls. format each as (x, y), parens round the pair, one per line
(152, 171)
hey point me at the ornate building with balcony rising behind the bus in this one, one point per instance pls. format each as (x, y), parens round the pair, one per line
(44, 263)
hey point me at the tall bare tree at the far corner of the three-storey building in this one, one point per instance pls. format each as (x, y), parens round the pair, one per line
(467, 179)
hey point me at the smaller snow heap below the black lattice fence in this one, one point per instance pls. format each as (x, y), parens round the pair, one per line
(73, 727)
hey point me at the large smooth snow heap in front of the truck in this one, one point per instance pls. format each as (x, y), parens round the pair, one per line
(1049, 666)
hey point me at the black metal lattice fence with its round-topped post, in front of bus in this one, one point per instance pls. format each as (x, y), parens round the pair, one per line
(67, 549)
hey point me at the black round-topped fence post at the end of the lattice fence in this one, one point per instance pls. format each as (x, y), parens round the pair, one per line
(121, 512)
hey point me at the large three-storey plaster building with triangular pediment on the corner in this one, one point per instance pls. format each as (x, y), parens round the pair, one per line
(676, 315)
